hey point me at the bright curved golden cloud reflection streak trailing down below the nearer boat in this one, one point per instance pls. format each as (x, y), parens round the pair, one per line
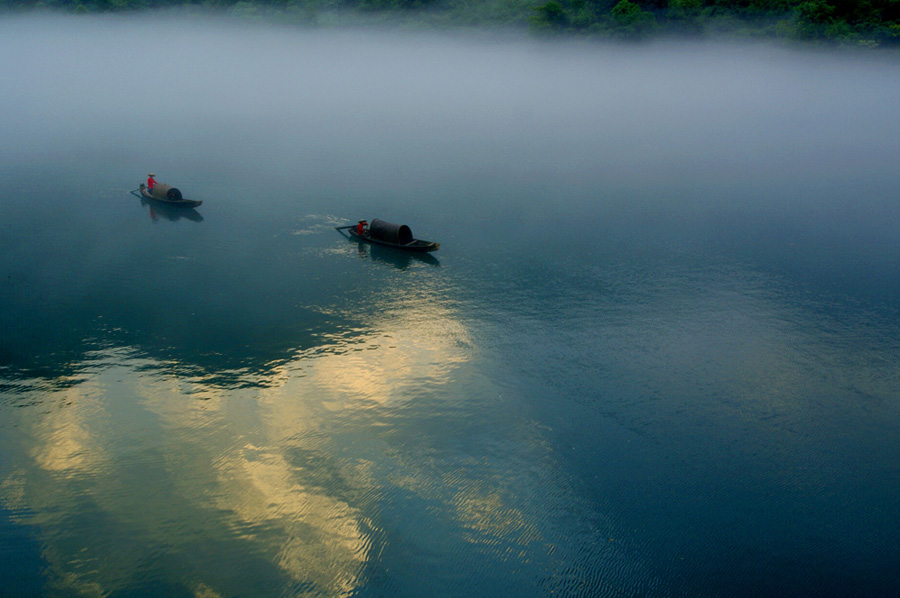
(276, 479)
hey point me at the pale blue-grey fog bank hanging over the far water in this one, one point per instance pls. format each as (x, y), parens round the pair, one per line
(316, 105)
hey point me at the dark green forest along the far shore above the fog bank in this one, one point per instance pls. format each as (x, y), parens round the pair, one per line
(867, 23)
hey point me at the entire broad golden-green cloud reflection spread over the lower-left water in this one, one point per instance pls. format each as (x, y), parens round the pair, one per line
(131, 470)
